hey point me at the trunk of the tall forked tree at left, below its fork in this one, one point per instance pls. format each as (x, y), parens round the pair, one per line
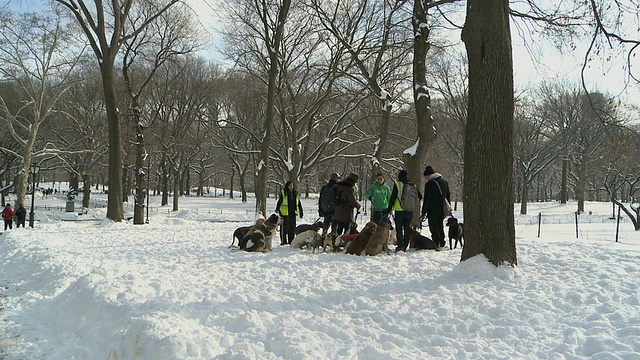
(114, 200)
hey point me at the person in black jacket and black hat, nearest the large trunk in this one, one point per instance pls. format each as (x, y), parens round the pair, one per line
(436, 189)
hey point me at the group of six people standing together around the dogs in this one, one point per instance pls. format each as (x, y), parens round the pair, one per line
(339, 215)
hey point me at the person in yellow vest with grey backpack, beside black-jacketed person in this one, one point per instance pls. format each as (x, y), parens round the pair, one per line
(404, 199)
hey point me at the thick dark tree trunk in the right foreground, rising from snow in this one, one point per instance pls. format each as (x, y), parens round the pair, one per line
(488, 152)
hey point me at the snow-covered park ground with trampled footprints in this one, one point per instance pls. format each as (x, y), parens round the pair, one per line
(172, 289)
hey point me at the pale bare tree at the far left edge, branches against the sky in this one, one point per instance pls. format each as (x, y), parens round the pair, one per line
(36, 56)
